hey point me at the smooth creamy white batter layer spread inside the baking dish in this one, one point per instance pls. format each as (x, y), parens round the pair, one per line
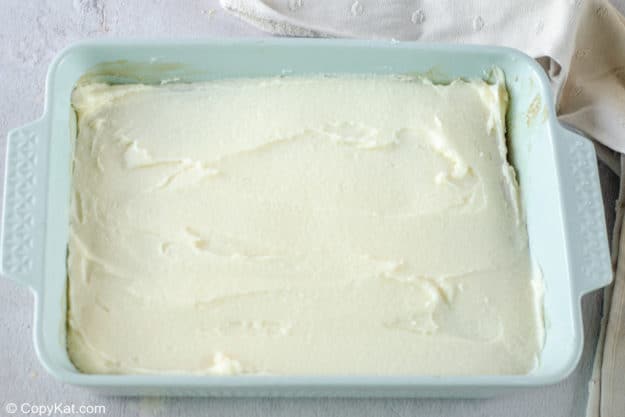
(355, 224)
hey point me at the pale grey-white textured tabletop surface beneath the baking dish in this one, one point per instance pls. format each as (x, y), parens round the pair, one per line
(31, 32)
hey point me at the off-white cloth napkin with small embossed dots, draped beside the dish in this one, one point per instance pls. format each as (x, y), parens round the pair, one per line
(581, 45)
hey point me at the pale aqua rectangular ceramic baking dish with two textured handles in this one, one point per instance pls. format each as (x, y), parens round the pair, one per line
(556, 168)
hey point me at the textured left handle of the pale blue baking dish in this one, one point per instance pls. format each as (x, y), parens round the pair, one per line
(23, 210)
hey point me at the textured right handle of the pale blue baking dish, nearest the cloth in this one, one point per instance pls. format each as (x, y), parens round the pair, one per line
(588, 251)
